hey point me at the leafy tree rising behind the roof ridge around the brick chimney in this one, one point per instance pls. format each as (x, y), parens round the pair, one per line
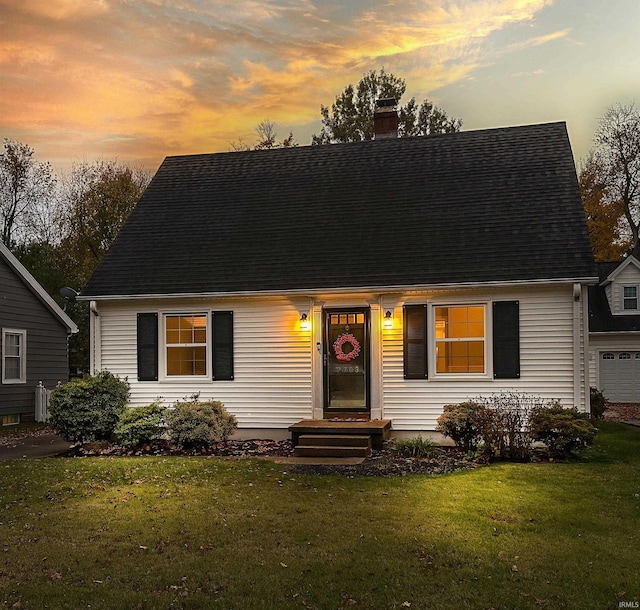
(350, 118)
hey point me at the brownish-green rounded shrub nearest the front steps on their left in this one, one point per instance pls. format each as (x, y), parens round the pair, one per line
(192, 423)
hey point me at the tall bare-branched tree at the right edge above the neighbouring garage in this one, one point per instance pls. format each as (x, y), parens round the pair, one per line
(617, 153)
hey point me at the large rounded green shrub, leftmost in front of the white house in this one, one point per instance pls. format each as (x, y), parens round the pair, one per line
(87, 408)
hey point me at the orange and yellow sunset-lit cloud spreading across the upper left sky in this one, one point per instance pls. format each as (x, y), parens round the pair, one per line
(146, 78)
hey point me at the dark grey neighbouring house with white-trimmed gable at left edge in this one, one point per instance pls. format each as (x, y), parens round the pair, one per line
(34, 335)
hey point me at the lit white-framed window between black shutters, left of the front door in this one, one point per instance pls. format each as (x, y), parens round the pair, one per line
(186, 344)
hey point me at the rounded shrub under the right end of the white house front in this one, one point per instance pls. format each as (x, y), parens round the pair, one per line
(561, 430)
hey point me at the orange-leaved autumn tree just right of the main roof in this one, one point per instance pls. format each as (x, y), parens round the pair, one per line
(605, 215)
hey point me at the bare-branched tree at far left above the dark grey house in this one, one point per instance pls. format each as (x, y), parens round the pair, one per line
(27, 193)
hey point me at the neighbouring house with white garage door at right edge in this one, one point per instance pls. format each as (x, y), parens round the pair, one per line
(614, 330)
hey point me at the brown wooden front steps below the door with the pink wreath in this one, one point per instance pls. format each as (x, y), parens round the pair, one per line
(338, 438)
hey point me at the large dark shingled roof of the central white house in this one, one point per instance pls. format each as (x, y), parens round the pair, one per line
(477, 206)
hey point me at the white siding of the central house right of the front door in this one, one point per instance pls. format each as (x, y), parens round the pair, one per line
(546, 359)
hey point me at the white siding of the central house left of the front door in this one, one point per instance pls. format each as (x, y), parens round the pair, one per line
(272, 365)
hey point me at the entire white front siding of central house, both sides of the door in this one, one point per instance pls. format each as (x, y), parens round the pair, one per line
(278, 368)
